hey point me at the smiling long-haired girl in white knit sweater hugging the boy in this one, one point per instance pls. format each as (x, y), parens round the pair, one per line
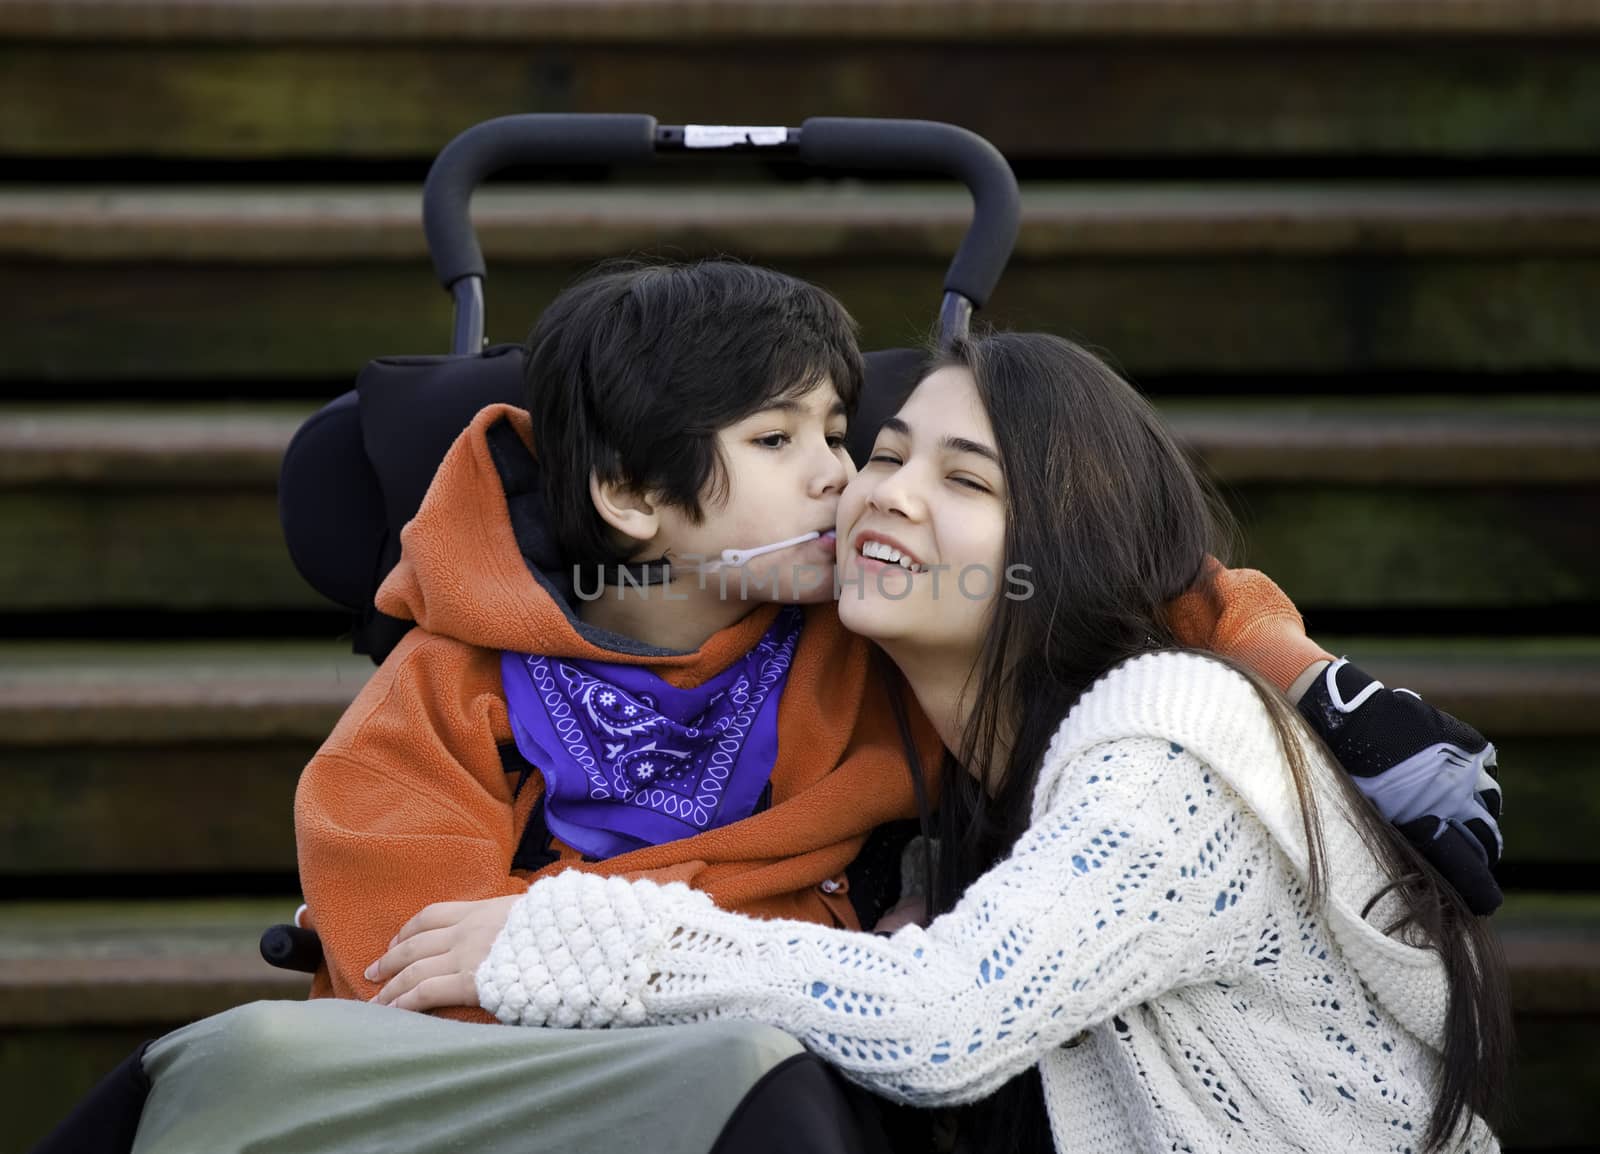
(1161, 921)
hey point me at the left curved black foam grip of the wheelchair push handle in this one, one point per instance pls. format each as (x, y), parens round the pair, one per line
(522, 140)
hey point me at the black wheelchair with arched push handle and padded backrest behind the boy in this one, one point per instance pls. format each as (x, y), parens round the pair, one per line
(358, 470)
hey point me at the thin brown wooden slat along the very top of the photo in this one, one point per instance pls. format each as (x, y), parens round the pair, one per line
(694, 20)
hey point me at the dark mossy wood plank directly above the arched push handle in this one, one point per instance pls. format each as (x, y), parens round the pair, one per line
(1118, 98)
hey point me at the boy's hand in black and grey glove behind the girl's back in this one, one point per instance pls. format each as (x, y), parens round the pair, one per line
(1431, 775)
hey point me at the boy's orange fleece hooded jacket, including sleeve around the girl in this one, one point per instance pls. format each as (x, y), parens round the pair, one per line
(409, 804)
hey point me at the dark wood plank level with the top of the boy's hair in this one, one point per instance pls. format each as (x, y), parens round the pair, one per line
(1154, 316)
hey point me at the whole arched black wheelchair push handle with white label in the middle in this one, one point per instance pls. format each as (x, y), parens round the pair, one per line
(911, 146)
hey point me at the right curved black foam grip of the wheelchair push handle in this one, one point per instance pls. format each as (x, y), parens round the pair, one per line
(927, 146)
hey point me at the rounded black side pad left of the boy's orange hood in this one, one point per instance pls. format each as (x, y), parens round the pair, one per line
(330, 505)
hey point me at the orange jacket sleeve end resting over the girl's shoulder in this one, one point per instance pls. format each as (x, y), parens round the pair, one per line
(1246, 617)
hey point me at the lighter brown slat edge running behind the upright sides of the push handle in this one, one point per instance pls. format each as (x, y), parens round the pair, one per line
(812, 222)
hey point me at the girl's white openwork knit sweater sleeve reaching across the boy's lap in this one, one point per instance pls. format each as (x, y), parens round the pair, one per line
(1145, 876)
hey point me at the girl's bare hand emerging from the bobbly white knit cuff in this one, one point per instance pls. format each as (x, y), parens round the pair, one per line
(433, 961)
